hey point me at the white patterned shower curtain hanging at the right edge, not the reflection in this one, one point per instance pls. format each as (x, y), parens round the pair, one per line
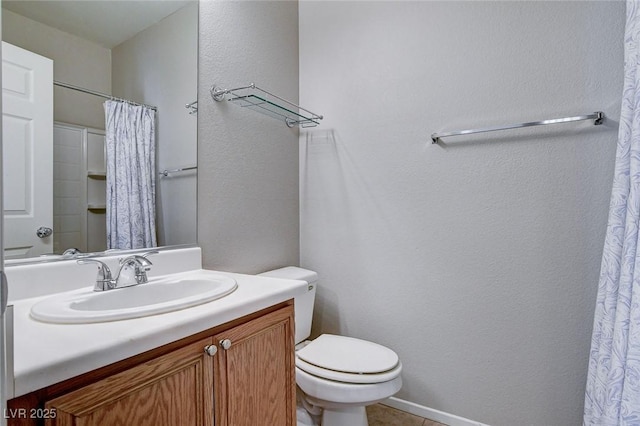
(612, 394)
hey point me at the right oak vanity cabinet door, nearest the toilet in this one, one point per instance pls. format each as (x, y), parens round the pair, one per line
(255, 372)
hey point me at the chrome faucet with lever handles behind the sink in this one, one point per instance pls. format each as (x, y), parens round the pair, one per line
(133, 271)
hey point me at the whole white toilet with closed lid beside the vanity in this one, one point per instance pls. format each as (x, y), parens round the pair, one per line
(337, 376)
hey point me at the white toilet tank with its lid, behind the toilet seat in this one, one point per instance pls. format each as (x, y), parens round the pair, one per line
(303, 304)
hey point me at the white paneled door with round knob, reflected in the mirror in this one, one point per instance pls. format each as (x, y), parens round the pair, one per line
(27, 152)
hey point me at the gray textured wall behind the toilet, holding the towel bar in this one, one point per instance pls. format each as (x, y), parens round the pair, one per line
(477, 260)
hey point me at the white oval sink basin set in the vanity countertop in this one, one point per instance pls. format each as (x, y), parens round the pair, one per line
(159, 295)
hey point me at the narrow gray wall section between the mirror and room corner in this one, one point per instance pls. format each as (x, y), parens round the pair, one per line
(248, 216)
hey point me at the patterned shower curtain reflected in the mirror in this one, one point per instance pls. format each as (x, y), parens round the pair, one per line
(131, 186)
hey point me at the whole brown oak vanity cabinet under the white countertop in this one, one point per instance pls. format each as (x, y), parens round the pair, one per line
(246, 377)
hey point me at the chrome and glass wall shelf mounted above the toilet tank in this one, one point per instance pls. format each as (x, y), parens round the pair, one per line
(260, 100)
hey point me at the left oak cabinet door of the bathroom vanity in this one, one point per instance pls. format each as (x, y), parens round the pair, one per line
(175, 389)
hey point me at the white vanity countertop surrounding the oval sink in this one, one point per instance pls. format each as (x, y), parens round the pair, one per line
(45, 354)
